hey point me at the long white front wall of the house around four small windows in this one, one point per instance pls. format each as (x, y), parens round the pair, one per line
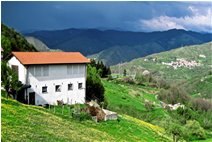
(58, 75)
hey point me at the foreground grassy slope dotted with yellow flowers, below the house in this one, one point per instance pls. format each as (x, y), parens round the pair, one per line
(31, 123)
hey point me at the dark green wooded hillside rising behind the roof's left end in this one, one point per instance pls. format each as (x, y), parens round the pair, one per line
(13, 41)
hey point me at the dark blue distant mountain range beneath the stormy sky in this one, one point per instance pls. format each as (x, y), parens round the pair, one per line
(113, 47)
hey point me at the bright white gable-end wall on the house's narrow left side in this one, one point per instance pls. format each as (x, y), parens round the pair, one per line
(21, 69)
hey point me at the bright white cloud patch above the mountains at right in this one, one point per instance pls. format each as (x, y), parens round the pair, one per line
(197, 21)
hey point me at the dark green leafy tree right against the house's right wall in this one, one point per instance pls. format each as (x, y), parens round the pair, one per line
(94, 87)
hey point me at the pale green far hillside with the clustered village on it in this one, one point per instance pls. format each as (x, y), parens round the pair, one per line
(164, 65)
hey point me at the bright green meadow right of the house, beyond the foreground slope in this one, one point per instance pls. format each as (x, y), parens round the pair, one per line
(130, 99)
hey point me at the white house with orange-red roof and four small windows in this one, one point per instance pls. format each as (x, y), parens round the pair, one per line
(51, 76)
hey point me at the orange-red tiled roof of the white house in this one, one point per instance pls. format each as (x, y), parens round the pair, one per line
(30, 58)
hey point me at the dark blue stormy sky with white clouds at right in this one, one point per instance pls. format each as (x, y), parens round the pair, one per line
(130, 16)
